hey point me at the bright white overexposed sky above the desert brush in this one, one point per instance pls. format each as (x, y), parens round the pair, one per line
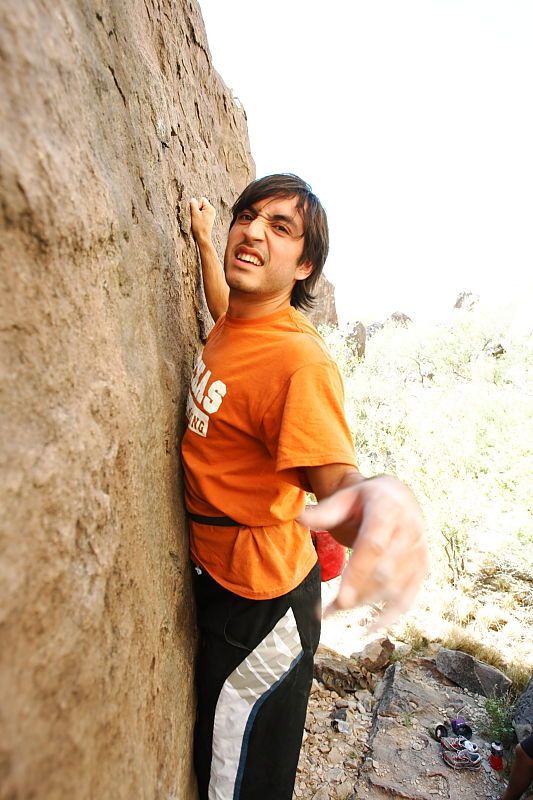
(413, 122)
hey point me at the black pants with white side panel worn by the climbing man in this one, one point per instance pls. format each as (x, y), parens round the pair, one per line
(254, 673)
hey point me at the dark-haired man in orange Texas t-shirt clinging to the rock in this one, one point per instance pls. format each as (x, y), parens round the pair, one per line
(265, 424)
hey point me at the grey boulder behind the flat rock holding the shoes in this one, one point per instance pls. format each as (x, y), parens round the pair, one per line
(469, 673)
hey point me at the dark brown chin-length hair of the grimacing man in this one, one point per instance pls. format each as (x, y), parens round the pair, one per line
(316, 234)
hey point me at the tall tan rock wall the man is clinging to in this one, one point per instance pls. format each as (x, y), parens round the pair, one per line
(113, 117)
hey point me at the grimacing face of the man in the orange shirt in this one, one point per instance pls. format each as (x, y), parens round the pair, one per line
(264, 251)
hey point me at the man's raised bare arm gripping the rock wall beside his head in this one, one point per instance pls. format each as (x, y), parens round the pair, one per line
(215, 287)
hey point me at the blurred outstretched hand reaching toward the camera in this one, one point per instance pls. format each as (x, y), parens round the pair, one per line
(381, 521)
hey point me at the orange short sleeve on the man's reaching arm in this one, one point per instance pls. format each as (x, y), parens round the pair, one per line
(305, 426)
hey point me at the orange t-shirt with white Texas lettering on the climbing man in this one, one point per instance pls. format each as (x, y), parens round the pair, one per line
(266, 401)
